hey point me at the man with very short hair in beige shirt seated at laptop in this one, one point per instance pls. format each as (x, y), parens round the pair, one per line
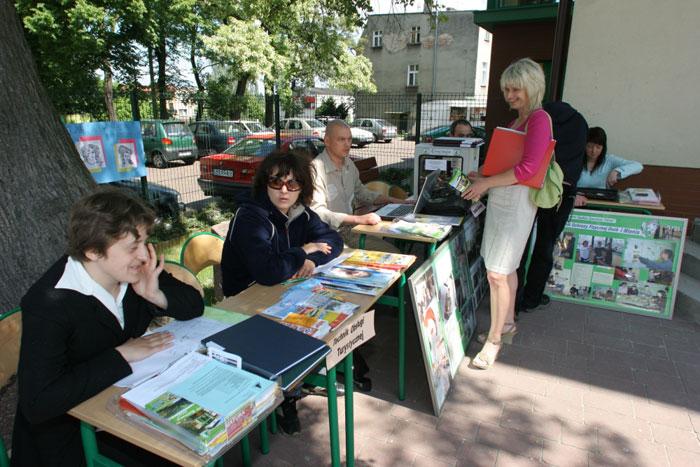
(337, 187)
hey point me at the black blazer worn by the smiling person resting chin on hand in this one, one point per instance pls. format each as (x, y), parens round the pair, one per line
(68, 355)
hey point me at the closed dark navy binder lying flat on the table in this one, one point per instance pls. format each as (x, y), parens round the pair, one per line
(270, 349)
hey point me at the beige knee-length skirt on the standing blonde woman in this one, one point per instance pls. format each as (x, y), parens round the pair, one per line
(509, 218)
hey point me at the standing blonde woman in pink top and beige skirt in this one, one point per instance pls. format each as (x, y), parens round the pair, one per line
(510, 213)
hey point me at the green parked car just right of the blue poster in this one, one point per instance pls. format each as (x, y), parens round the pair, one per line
(167, 140)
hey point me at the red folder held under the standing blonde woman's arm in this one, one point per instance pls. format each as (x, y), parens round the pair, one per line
(506, 150)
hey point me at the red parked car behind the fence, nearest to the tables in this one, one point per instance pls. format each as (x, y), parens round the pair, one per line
(232, 171)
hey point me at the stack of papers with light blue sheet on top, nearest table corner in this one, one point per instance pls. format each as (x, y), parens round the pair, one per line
(200, 402)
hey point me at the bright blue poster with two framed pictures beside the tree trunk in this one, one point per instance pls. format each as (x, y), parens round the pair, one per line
(111, 151)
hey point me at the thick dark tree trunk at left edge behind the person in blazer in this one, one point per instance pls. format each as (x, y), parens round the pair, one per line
(41, 174)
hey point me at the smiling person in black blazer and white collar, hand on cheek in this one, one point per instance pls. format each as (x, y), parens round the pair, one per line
(83, 323)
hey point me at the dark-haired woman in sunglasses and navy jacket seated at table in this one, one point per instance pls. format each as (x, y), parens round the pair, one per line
(275, 236)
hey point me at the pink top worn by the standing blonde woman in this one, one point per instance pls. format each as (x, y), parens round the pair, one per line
(539, 134)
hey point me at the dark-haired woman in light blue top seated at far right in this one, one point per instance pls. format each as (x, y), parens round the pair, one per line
(600, 169)
